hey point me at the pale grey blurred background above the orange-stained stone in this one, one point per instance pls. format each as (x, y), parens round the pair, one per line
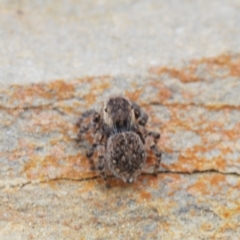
(68, 39)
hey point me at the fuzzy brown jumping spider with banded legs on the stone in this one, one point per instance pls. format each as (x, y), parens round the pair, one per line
(120, 138)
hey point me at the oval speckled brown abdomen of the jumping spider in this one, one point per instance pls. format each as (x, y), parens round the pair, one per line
(125, 155)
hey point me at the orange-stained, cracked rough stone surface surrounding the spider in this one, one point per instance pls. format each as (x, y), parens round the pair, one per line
(48, 192)
